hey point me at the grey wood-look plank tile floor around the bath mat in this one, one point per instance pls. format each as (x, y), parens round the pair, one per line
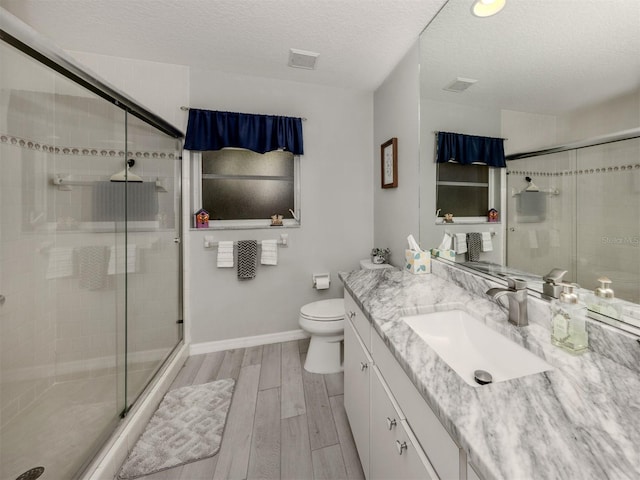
(283, 423)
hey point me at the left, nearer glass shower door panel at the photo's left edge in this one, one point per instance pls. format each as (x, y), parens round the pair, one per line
(62, 318)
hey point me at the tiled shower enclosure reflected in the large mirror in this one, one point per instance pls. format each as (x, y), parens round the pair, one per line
(584, 216)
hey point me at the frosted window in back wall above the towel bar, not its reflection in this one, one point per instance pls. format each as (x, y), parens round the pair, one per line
(239, 187)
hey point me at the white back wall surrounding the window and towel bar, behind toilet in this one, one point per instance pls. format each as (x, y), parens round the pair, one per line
(337, 215)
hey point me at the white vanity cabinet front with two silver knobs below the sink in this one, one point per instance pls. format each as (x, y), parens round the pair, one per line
(395, 452)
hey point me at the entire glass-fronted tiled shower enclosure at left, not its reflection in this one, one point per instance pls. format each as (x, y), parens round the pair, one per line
(90, 269)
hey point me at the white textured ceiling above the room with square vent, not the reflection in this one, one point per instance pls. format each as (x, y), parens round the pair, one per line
(359, 41)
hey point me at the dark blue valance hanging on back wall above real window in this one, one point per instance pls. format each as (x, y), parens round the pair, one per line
(213, 130)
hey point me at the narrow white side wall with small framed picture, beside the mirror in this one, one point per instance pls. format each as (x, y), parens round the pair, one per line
(396, 110)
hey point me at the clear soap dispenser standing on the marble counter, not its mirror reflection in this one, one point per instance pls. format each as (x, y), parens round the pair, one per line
(568, 321)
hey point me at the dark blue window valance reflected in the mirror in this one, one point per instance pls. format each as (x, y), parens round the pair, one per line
(468, 149)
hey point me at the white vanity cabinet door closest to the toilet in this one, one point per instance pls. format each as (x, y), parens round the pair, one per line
(357, 374)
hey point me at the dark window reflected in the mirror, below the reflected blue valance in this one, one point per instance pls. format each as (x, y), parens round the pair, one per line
(467, 191)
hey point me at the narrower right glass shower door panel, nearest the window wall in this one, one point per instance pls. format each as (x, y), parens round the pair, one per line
(153, 249)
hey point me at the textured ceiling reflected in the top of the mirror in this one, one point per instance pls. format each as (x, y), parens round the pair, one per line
(539, 56)
